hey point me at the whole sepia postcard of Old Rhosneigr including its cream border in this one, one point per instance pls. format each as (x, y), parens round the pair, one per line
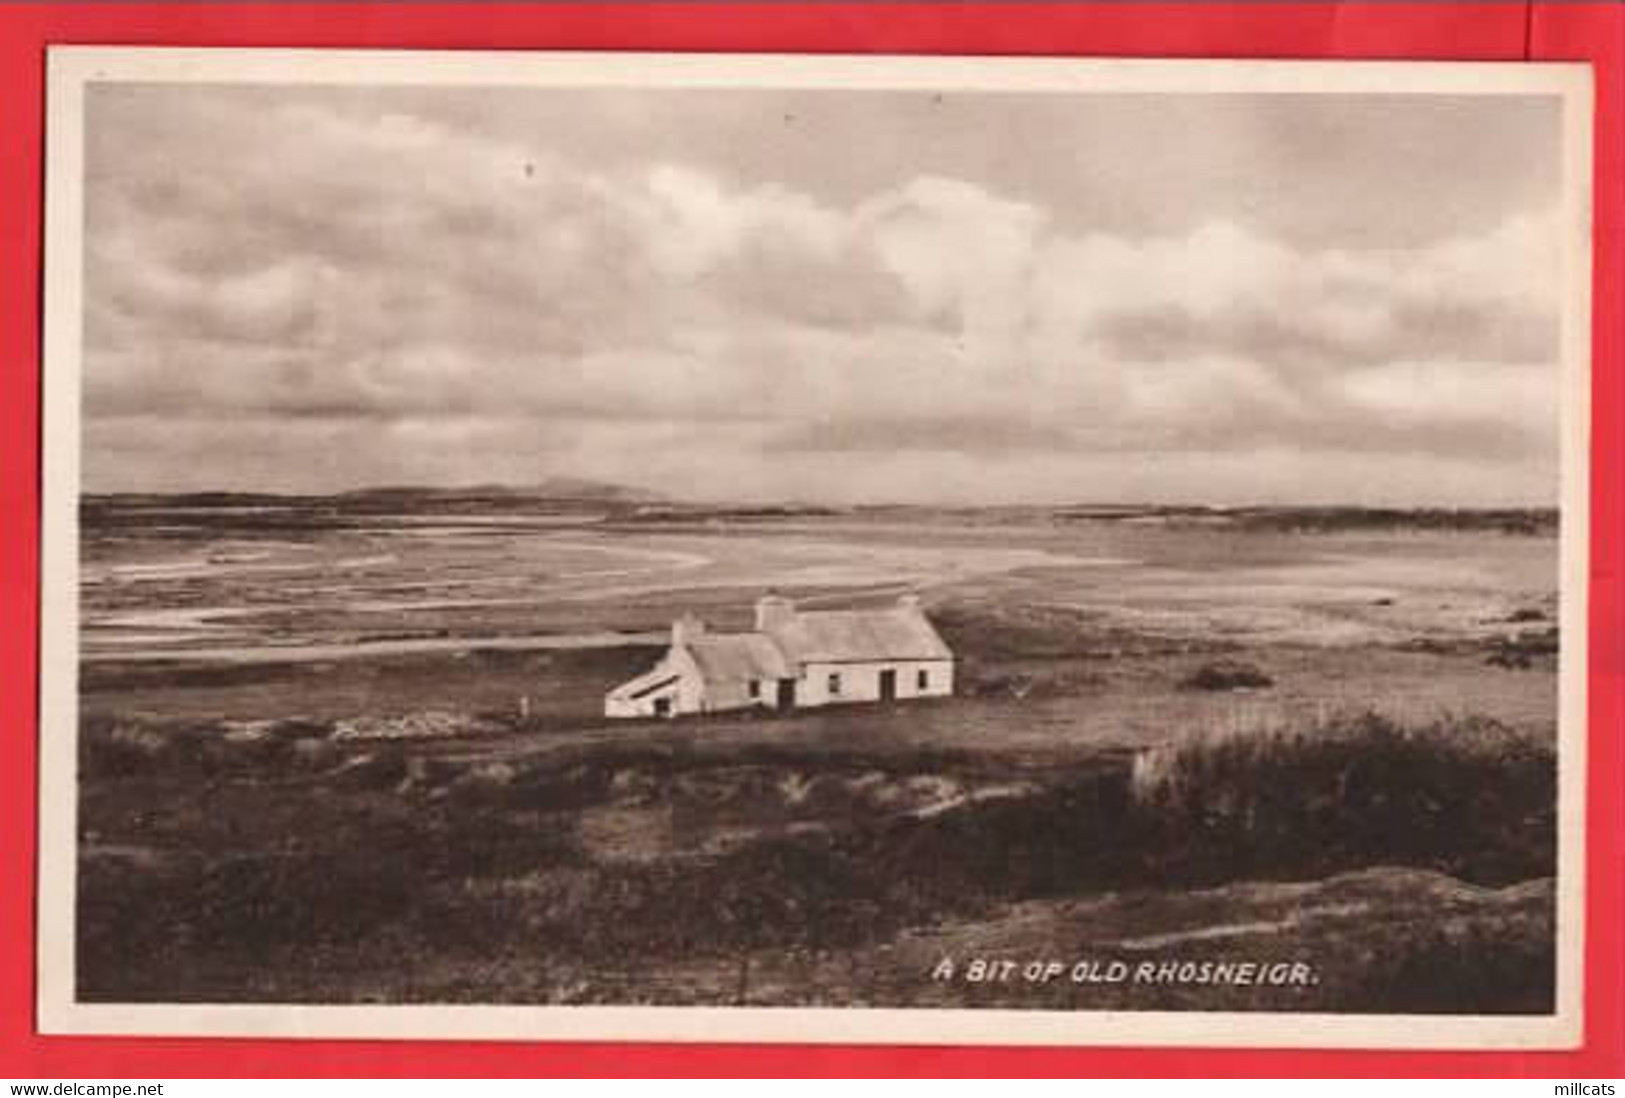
(815, 548)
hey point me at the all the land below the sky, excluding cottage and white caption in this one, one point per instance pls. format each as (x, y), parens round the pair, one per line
(350, 750)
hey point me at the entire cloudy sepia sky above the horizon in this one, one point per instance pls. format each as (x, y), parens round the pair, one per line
(825, 295)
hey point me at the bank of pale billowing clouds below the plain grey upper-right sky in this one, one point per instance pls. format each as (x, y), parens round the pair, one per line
(277, 282)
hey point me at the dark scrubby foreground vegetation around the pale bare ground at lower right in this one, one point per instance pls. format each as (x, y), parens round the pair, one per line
(279, 863)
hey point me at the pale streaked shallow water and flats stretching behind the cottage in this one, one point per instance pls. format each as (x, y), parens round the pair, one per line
(326, 594)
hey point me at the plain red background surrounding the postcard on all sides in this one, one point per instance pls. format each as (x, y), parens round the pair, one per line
(1541, 30)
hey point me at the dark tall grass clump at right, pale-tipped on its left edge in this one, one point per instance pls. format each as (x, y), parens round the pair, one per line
(1462, 795)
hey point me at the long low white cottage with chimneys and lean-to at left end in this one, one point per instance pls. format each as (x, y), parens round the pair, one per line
(794, 660)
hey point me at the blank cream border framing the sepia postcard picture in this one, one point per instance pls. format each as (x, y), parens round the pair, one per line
(71, 69)
